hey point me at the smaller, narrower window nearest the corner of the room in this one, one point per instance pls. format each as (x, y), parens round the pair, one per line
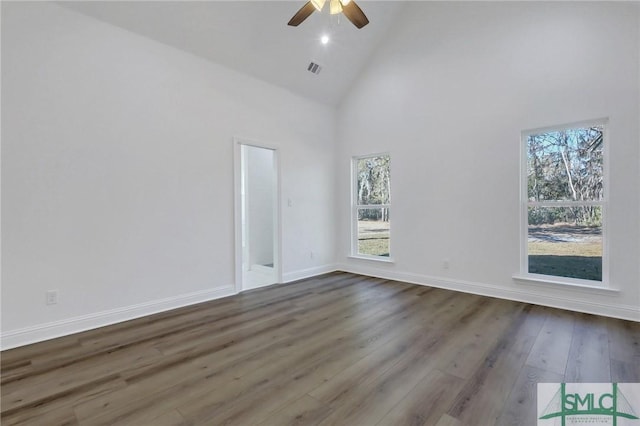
(371, 205)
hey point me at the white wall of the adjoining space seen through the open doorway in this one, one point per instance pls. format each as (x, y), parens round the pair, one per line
(260, 198)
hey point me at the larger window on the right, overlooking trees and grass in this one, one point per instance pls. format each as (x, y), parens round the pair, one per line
(564, 206)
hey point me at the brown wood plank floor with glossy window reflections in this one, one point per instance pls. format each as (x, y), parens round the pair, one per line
(339, 349)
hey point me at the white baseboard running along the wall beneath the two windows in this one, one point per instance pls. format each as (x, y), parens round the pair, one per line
(614, 310)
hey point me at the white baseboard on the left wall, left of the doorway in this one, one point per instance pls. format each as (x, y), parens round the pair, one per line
(38, 333)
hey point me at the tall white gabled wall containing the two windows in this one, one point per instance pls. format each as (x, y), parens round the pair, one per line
(448, 95)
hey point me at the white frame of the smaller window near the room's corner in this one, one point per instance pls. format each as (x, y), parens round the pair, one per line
(355, 207)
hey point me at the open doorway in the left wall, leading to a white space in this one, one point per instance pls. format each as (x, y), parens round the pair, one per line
(257, 215)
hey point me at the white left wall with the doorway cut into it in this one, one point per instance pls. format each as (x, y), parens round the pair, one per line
(117, 180)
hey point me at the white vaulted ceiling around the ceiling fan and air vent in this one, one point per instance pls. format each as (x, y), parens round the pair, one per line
(253, 37)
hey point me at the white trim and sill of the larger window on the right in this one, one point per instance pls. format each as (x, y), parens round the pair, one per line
(524, 275)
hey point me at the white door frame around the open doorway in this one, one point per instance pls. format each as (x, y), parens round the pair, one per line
(238, 142)
